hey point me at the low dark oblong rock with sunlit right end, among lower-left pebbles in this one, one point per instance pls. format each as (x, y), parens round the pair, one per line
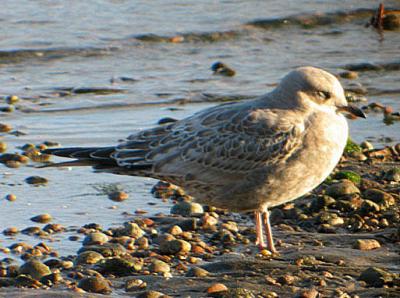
(120, 267)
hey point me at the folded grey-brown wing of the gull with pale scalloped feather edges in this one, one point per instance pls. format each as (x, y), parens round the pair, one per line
(230, 139)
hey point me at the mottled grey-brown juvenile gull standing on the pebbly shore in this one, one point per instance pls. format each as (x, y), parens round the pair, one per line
(242, 156)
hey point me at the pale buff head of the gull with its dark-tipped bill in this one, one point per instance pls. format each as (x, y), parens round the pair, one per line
(310, 86)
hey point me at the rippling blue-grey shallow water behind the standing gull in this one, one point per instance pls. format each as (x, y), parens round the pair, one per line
(50, 49)
